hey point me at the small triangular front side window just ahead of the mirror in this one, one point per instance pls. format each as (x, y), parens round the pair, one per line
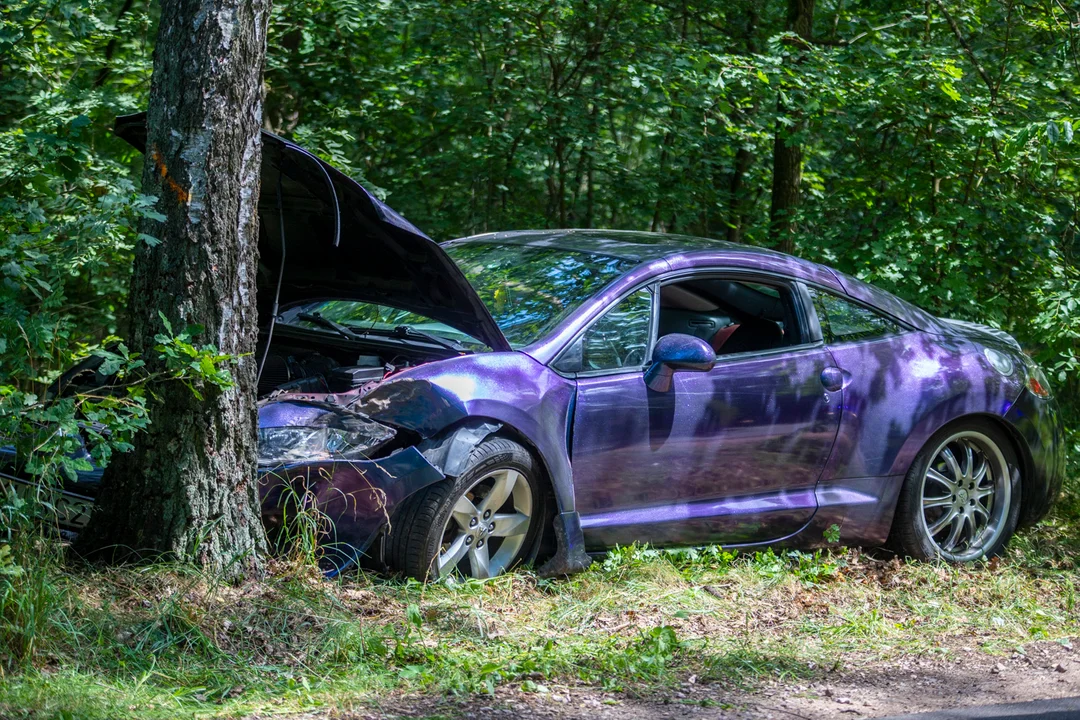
(619, 339)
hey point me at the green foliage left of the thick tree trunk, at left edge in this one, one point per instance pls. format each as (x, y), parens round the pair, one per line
(69, 209)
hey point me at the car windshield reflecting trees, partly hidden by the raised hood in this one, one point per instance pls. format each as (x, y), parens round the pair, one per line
(529, 291)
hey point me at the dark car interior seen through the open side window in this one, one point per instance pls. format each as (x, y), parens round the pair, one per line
(733, 317)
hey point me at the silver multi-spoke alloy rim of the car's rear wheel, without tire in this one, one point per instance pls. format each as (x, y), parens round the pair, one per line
(966, 497)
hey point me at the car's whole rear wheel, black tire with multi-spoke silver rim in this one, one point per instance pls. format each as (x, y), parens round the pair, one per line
(957, 506)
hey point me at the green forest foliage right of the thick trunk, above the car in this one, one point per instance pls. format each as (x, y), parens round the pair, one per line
(940, 161)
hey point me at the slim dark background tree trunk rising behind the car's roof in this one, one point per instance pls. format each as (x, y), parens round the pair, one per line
(787, 152)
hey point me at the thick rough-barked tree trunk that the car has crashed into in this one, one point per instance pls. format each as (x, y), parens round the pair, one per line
(188, 491)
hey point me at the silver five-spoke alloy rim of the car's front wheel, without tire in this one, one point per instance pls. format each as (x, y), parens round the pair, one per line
(488, 526)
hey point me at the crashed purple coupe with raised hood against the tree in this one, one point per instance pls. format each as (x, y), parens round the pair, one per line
(534, 397)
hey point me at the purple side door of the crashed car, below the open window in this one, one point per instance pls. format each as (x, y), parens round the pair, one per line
(731, 456)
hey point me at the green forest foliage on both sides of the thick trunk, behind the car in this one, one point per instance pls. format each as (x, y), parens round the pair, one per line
(939, 146)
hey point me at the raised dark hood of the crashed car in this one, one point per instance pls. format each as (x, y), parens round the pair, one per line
(342, 242)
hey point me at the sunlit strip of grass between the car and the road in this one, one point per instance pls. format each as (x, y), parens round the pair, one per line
(164, 641)
